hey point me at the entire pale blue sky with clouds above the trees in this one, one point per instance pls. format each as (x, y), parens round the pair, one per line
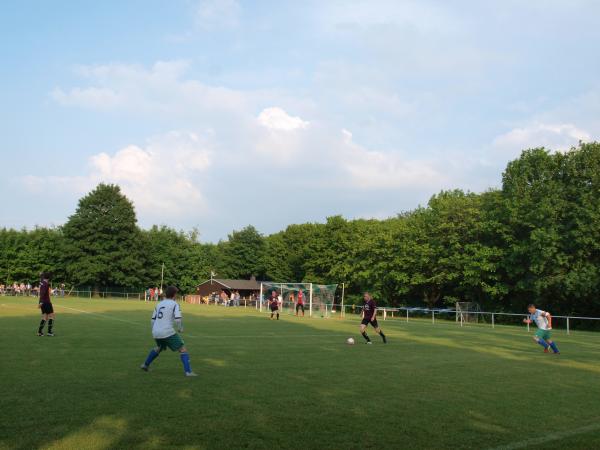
(216, 114)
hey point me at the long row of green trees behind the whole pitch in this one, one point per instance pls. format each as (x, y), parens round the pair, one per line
(535, 239)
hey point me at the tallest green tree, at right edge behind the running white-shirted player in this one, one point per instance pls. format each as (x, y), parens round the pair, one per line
(552, 210)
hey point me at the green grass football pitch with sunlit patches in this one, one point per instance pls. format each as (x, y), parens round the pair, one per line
(288, 384)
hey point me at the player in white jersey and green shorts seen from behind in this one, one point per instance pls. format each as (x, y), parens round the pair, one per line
(165, 316)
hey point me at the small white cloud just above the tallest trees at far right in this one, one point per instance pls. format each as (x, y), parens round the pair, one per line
(554, 136)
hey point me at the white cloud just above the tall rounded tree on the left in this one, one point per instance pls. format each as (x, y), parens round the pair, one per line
(159, 177)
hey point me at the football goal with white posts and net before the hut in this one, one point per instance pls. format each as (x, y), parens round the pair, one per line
(318, 299)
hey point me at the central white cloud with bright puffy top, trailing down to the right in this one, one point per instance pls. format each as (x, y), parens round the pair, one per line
(290, 142)
